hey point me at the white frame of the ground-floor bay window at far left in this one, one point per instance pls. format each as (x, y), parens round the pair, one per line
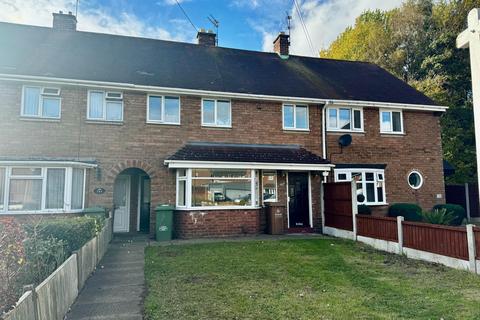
(43, 176)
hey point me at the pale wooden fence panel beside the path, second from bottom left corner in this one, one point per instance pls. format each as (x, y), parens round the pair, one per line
(58, 292)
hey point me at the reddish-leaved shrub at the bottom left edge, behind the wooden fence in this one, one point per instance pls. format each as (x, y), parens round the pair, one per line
(12, 260)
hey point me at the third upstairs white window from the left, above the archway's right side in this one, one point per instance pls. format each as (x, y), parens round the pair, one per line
(163, 109)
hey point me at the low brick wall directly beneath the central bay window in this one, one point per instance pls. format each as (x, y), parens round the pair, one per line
(216, 223)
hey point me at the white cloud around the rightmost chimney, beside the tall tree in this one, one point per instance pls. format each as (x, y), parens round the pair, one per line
(325, 20)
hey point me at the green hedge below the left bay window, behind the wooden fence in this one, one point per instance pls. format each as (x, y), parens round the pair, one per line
(74, 232)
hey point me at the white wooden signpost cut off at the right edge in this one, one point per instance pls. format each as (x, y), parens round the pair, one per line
(470, 38)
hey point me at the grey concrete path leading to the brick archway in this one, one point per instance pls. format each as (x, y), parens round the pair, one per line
(116, 290)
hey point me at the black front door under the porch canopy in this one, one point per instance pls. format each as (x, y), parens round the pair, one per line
(298, 205)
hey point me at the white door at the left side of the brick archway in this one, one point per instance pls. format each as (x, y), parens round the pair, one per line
(121, 202)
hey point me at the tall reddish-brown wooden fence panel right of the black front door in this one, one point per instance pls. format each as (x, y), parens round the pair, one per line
(338, 205)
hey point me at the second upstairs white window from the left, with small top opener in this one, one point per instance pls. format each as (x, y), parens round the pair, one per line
(105, 106)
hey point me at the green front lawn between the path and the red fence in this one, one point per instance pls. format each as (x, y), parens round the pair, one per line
(302, 279)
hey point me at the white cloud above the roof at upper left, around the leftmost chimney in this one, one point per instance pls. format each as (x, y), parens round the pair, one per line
(91, 17)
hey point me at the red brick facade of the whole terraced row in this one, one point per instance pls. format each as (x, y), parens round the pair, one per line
(137, 144)
